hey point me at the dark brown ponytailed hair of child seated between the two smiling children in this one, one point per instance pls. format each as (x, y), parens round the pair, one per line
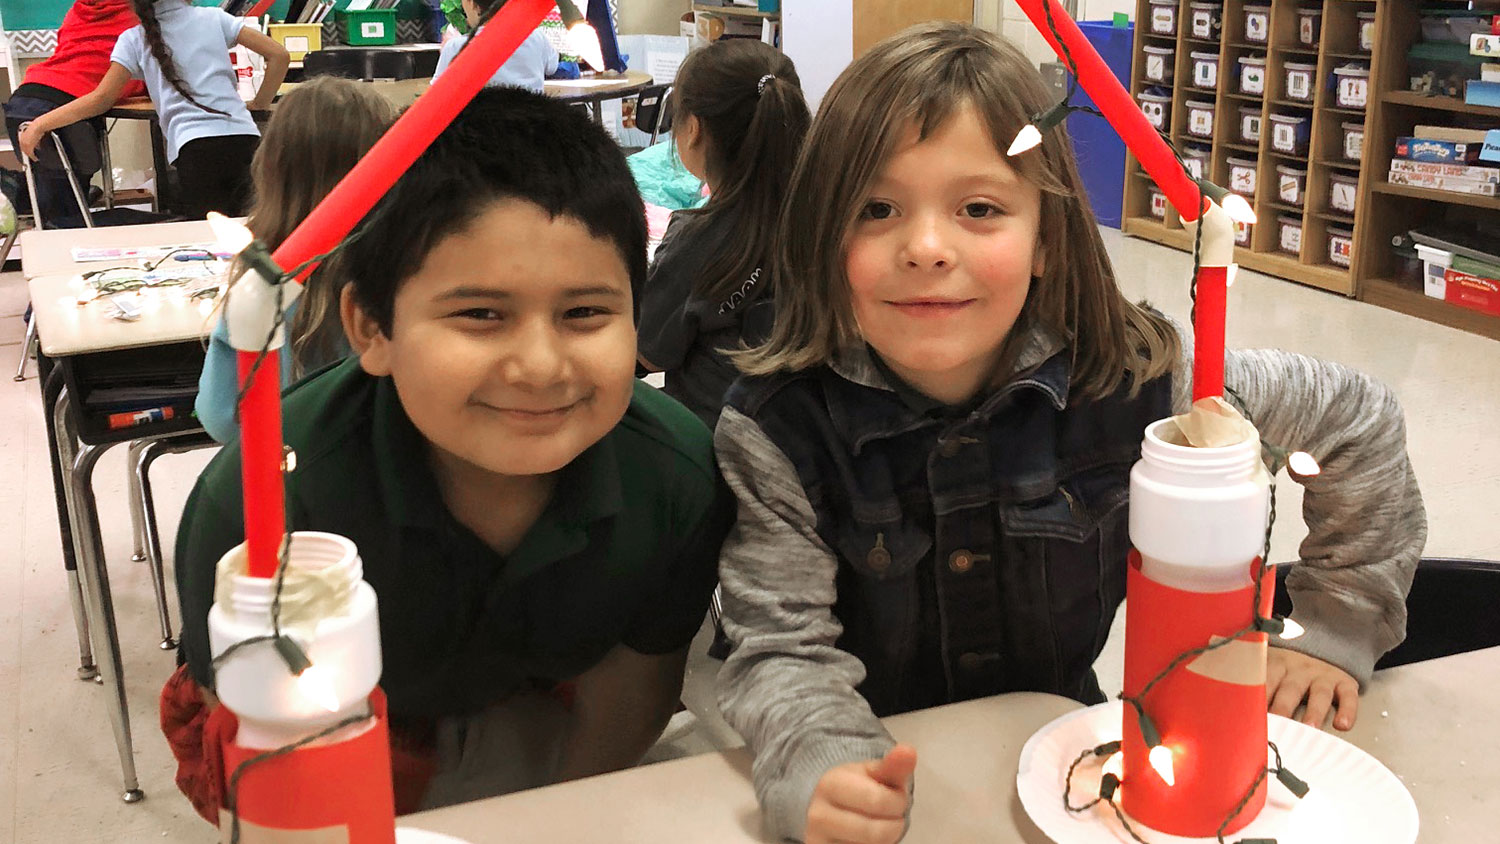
(749, 106)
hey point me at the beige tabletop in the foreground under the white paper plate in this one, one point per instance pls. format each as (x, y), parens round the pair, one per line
(1429, 722)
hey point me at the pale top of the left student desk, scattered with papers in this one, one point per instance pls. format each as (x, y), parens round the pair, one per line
(68, 329)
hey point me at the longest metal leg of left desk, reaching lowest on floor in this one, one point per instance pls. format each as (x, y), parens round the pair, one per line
(97, 594)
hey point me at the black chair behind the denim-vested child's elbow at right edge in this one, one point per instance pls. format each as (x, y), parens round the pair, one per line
(1451, 609)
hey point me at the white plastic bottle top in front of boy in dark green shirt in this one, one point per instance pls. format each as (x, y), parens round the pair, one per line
(274, 707)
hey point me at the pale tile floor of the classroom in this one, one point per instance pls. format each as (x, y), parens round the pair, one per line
(59, 773)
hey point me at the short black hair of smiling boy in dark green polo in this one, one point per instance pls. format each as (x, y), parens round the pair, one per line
(506, 145)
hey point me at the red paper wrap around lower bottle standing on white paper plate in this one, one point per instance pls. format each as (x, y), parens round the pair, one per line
(1210, 711)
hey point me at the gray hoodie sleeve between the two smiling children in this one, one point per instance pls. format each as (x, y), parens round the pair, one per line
(787, 687)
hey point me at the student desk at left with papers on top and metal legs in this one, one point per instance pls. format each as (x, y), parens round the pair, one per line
(71, 338)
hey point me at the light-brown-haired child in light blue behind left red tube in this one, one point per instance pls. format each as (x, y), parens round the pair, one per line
(302, 157)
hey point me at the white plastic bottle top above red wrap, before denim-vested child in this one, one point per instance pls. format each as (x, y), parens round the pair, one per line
(1198, 516)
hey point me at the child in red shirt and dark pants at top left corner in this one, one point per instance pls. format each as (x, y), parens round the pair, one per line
(74, 70)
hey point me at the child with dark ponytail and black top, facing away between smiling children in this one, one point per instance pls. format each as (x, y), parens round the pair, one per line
(740, 119)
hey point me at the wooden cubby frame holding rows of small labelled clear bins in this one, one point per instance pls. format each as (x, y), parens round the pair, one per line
(1337, 46)
